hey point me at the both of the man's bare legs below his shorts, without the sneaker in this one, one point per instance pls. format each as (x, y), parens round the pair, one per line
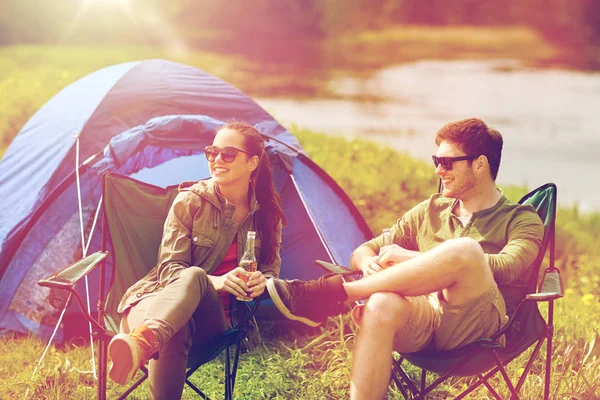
(457, 267)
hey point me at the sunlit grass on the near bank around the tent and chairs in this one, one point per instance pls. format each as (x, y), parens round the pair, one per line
(316, 364)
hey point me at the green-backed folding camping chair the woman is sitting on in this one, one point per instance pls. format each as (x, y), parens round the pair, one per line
(132, 224)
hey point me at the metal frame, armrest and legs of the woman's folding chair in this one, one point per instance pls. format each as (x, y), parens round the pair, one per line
(69, 276)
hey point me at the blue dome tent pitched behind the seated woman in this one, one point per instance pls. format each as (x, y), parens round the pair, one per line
(149, 120)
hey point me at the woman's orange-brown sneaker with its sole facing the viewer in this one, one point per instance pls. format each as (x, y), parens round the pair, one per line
(129, 352)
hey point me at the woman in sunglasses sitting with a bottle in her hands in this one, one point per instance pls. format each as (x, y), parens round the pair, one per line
(185, 300)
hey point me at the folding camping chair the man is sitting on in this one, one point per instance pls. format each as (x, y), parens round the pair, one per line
(487, 356)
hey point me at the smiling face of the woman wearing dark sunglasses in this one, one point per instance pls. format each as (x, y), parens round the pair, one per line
(239, 170)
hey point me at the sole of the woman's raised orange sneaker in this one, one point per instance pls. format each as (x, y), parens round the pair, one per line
(121, 351)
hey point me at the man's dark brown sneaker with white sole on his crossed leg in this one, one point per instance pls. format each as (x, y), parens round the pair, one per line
(310, 302)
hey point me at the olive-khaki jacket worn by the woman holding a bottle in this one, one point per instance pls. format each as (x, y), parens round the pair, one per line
(198, 231)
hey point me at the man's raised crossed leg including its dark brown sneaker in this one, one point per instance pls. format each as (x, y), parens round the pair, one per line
(457, 267)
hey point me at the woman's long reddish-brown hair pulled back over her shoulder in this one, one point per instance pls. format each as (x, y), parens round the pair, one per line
(270, 212)
